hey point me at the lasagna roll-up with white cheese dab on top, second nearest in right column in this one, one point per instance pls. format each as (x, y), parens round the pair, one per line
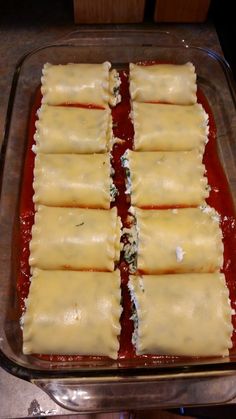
(176, 241)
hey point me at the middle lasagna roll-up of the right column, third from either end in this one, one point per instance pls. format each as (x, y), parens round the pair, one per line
(157, 179)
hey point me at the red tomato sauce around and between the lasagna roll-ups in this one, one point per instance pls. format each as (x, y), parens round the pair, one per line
(220, 199)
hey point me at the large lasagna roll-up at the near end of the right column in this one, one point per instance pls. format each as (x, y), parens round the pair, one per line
(186, 315)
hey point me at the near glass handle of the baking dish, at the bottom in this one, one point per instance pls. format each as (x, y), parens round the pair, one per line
(123, 393)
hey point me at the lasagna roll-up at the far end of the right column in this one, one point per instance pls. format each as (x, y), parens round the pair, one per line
(168, 83)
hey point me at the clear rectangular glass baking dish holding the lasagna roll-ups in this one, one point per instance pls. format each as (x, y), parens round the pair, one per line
(104, 384)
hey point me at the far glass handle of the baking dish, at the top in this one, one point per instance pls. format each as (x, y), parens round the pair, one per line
(143, 37)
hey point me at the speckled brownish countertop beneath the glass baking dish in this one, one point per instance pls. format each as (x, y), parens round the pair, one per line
(19, 398)
